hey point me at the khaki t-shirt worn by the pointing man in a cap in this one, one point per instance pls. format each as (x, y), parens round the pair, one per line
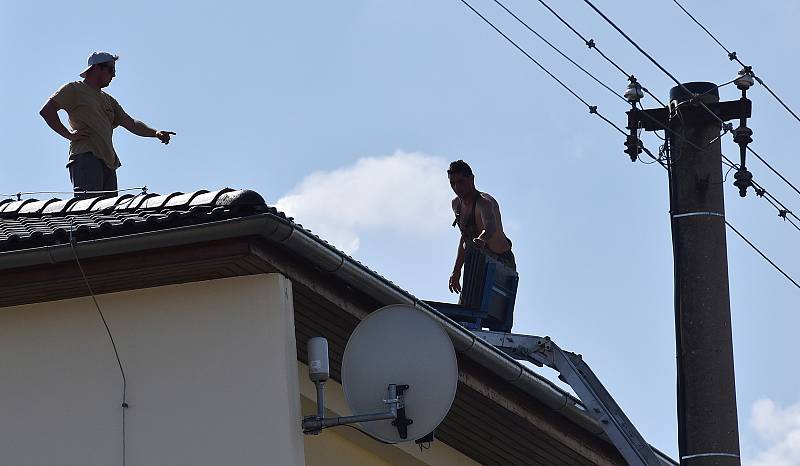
(91, 109)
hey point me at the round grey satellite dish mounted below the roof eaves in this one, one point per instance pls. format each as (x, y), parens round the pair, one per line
(400, 344)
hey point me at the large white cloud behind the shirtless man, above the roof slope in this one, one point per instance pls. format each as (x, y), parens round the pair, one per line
(404, 192)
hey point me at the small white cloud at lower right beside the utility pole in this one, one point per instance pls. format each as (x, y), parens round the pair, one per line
(778, 431)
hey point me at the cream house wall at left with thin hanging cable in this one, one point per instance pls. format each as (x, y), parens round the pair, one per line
(211, 370)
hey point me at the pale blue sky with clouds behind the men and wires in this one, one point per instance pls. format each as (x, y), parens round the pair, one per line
(346, 113)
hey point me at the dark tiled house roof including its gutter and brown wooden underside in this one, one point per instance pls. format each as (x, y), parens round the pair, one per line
(35, 240)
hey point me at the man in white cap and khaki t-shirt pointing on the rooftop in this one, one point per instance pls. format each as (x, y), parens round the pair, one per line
(93, 115)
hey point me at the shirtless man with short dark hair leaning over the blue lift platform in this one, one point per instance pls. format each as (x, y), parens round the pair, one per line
(478, 218)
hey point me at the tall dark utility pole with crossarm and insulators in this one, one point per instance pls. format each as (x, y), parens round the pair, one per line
(707, 418)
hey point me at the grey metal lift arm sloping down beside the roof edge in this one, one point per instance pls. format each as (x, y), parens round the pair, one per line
(575, 372)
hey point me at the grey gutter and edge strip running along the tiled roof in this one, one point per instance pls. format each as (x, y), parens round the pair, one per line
(282, 231)
